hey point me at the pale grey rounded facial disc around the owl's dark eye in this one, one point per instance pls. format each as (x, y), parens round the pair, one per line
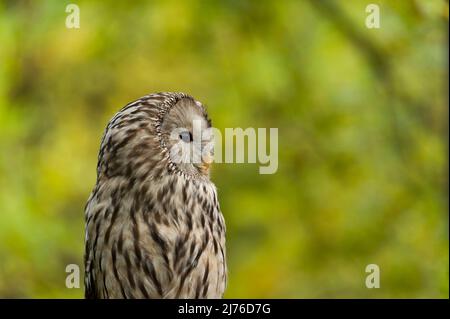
(187, 135)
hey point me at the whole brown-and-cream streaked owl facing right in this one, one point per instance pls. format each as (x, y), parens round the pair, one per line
(153, 223)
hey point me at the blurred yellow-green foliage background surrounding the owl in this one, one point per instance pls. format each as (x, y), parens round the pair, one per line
(363, 134)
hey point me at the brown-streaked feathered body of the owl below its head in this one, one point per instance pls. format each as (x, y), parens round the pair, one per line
(145, 247)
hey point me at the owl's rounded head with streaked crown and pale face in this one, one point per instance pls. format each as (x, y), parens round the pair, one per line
(156, 135)
